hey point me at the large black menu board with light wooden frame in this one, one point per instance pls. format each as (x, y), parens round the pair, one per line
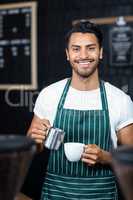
(18, 51)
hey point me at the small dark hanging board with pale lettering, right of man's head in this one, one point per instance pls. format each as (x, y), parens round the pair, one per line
(121, 43)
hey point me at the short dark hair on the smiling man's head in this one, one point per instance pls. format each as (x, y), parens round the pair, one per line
(85, 26)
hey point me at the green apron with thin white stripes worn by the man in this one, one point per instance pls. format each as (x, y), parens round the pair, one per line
(75, 180)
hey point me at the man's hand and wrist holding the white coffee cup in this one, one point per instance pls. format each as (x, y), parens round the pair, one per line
(93, 155)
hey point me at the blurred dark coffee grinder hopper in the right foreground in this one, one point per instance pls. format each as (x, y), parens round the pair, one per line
(123, 167)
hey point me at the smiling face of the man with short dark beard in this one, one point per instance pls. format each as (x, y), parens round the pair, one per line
(83, 53)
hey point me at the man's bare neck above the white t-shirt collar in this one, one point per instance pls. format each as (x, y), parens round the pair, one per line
(89, 83)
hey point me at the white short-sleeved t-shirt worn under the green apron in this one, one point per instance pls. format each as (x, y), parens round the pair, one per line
(119, 104)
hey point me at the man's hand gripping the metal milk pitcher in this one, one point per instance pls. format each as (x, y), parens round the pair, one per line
(38, 129)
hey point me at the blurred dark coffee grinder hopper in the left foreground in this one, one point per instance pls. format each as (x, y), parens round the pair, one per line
(16, 153)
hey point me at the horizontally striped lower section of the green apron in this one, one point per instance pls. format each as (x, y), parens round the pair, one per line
(66, 187)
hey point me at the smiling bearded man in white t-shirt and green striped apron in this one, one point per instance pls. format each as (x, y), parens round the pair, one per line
(90, 111)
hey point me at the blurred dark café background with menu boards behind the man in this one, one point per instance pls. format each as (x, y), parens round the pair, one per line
(32, 50)
